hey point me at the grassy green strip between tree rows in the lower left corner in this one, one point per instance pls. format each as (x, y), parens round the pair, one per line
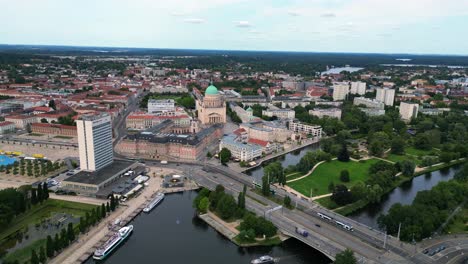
(44, 210)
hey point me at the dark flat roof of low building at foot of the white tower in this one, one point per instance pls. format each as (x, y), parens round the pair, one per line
(99, 176)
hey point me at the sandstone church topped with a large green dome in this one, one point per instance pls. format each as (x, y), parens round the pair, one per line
(211, 108)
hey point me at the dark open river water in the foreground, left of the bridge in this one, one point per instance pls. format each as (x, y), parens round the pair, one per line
(172, 233)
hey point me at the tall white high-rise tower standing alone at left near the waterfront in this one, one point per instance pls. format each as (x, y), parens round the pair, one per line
(95, 141)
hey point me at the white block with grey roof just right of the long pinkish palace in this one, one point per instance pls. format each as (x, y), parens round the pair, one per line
(239, 150)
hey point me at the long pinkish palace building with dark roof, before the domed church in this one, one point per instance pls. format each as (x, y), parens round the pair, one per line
(161, 145)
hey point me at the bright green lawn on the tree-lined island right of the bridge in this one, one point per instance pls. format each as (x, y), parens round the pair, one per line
(328, 172)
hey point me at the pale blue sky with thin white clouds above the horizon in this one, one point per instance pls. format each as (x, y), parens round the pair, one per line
(369, 26)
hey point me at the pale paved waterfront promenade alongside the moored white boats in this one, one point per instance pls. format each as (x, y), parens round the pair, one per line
(90, 240)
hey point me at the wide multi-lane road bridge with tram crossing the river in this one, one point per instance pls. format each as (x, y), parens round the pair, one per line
(369, 245)
